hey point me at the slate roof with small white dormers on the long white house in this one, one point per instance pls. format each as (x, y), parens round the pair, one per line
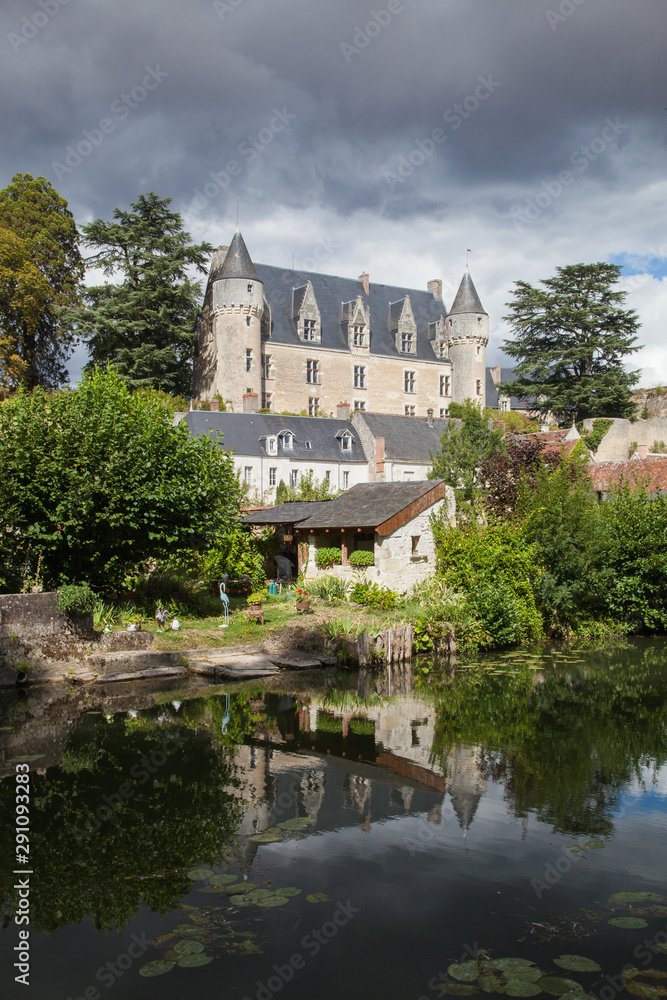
(245, 434)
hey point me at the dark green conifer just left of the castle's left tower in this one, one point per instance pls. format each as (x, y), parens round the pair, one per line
(143, 326)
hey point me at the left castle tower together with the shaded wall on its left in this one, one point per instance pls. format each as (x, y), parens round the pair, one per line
(230, 339)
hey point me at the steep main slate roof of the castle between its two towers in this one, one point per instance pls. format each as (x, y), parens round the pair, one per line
(330, 292)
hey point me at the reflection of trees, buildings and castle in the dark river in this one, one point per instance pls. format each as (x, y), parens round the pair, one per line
(405, 757)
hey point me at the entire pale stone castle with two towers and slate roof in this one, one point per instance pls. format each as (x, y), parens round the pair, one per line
(281, 339)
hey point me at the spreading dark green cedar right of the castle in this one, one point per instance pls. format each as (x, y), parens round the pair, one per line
(571, 338)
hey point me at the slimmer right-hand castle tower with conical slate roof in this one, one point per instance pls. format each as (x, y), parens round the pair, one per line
(467, 329)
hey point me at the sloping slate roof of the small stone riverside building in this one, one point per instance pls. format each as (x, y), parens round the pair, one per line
(367, 505)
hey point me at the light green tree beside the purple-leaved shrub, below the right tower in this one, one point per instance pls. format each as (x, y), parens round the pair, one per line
(464, 447)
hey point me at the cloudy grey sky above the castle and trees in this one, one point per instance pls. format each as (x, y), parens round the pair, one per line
(388, 137)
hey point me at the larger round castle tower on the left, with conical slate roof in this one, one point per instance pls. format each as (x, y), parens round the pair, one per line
(238, 306)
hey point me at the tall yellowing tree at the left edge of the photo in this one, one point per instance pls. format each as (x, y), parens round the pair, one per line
(40, 235)
